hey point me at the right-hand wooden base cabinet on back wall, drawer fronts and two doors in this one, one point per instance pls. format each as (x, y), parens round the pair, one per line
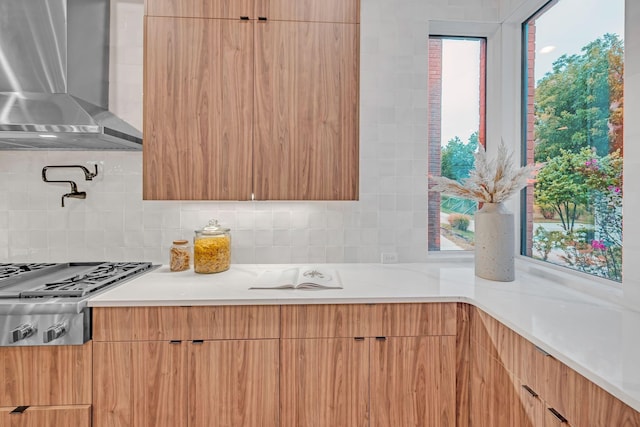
(375, 365)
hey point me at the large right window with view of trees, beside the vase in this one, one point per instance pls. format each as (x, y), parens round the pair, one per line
(572, 126)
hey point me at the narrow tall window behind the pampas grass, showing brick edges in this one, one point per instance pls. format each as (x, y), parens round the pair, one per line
(456, 129)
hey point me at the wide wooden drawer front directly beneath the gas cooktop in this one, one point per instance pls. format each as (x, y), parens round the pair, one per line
(47, 375)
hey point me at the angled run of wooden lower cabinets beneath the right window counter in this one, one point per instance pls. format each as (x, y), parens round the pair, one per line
(520, 385)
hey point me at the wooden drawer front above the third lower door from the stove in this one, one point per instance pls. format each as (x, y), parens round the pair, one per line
(325, 321)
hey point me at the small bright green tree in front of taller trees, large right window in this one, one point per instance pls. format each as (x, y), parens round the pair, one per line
(562, 186)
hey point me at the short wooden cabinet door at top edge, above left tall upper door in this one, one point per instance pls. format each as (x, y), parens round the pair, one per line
(231, 9)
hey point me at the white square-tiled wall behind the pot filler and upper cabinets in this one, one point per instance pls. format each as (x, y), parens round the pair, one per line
(114, 223)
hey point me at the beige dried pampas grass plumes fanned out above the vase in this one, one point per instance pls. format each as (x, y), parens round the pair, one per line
(492, 181)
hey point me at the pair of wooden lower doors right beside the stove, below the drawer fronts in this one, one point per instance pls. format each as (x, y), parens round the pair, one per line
(186, 383)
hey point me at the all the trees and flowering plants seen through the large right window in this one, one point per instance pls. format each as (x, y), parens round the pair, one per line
(578, 130)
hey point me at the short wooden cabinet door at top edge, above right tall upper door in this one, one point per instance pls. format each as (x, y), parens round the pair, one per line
(345, 11)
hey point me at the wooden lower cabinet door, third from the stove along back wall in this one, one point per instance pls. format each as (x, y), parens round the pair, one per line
(324, 382)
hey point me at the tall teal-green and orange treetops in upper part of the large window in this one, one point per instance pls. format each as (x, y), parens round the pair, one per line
(579, 103)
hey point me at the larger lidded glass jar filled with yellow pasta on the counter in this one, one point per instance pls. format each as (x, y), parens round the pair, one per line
(212, 249)
